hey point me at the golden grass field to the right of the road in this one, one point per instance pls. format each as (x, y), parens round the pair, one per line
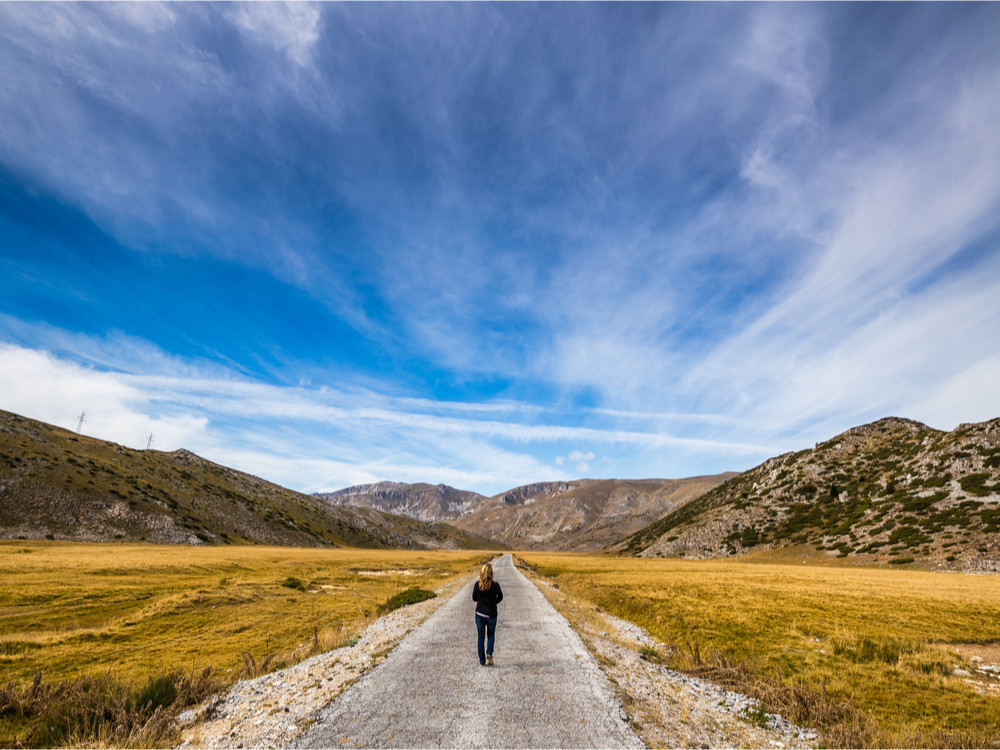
(808, 637)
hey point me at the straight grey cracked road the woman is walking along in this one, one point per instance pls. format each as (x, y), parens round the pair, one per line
(546, 690)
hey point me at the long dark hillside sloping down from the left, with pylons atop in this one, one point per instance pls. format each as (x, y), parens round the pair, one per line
(58, 485)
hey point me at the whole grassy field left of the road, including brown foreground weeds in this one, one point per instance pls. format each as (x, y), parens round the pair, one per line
(85, 629)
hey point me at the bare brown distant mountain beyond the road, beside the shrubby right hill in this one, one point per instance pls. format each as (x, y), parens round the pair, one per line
(582, 515)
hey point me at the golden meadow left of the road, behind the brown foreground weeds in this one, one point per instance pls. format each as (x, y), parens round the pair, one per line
(70, 609)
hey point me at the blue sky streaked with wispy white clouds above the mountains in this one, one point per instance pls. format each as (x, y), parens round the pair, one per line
(488, 244)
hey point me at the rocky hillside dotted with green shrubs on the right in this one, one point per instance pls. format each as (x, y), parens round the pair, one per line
(892, 491)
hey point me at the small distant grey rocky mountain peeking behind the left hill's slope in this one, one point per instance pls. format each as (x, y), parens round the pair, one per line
(425, 502)
